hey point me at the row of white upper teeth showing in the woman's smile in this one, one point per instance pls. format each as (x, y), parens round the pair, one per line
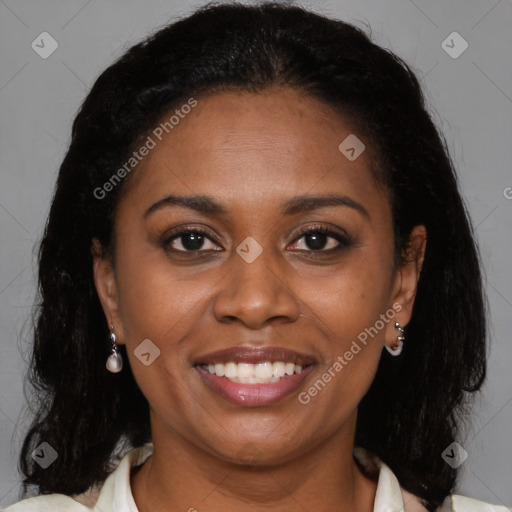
(261, 373)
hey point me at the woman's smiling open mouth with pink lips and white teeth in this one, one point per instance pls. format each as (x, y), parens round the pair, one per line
(252, 377)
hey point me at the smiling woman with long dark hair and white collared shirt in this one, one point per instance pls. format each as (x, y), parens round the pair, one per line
(254, 205)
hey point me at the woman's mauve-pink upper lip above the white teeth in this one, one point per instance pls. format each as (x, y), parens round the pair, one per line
(254, 355)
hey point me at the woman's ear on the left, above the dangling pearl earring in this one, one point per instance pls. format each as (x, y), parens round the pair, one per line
(106, 287)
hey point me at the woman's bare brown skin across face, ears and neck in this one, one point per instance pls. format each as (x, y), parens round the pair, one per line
(251, 153)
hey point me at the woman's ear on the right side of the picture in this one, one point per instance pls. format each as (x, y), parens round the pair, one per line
(405, 283)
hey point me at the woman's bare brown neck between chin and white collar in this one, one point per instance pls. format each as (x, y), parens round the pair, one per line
(181, 476)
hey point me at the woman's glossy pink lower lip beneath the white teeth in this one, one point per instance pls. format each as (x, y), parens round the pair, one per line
(254, 395)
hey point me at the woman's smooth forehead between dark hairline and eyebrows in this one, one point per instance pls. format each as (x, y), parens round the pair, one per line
(254, 149)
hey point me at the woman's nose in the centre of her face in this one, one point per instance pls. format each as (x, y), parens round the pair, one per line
(257, 293)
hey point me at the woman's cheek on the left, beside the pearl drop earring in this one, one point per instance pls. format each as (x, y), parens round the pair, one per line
(157, 305)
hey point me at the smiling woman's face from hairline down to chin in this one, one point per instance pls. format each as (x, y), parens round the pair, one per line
(251, 278)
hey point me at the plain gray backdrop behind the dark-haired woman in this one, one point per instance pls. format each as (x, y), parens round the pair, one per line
(471, 97)
